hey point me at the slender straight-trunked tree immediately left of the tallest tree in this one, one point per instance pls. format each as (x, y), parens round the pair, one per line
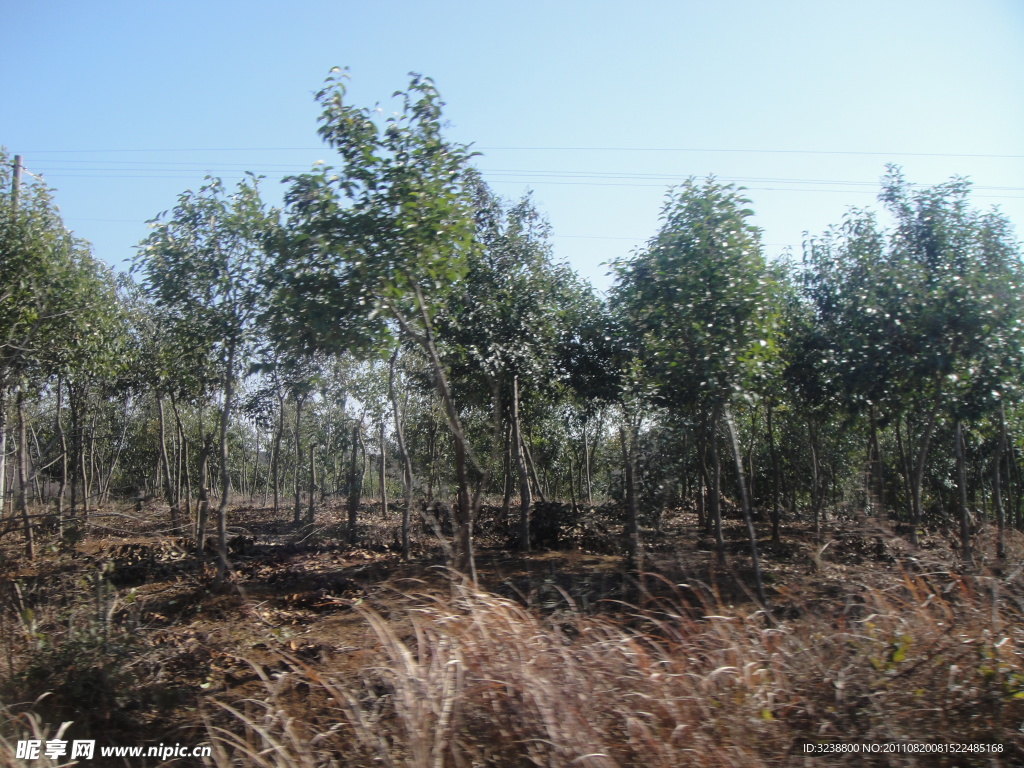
(204, 267)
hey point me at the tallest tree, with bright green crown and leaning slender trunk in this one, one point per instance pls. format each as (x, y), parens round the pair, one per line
(375, 245)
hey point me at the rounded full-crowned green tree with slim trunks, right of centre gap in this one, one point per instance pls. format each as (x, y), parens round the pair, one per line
(699, 302)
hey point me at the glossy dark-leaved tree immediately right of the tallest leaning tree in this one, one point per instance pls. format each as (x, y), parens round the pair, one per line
(502, 328)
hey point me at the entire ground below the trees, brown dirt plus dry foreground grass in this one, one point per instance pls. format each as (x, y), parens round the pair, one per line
(322, 654)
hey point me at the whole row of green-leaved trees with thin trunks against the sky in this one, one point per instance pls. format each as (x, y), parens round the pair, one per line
(397, 330)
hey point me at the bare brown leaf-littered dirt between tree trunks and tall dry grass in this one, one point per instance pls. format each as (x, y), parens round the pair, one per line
(121, 631)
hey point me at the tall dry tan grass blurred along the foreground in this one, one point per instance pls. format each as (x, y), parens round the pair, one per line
(478, 680)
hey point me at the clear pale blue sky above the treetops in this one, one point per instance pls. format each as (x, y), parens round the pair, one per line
(598, 107)
